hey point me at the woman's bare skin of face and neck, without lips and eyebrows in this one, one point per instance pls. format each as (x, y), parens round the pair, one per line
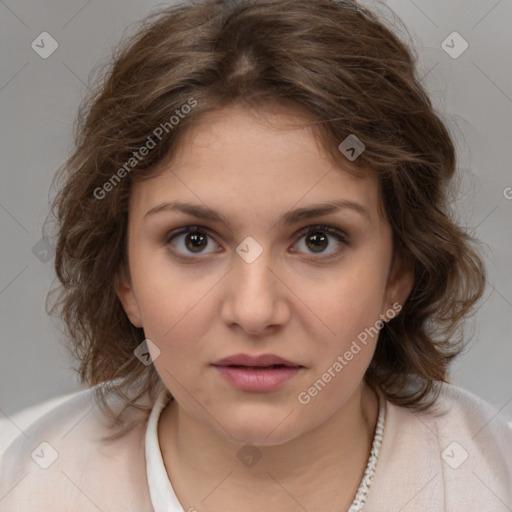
(302, 305)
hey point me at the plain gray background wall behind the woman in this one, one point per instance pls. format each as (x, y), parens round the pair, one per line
(38, 101)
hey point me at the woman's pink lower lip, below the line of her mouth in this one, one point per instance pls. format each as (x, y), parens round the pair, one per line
(257, 380)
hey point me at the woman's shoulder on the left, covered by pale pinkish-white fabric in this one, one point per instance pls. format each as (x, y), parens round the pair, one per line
(58, 462)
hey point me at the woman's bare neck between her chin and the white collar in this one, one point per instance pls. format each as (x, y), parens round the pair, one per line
(330, 459)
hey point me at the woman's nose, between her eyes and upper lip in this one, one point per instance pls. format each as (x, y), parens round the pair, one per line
(254, 299)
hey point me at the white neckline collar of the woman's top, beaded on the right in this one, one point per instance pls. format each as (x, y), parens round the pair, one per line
(163, 497)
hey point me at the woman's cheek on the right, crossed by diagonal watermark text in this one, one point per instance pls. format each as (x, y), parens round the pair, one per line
(344, 322)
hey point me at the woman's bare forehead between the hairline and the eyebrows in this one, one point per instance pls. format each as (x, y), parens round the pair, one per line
(237, 159)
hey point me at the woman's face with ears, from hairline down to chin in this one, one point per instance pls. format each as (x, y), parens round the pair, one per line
(230, 252)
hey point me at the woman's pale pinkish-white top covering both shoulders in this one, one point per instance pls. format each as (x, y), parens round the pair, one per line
(456, 457)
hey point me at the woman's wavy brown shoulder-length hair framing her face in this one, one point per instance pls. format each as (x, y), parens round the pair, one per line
(335, 61)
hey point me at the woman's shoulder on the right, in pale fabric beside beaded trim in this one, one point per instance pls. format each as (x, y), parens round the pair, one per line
(455, 456)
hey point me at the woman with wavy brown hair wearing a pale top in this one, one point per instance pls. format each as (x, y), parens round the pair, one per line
(261, 280)
